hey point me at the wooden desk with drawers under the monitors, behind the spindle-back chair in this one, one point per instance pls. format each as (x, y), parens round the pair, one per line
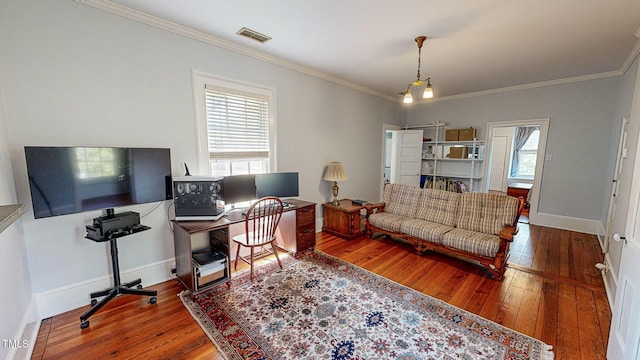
(297, 231)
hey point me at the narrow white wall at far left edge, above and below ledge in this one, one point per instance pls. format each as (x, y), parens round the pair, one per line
(16, 310)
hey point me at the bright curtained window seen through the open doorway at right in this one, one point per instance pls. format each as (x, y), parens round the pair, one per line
(523, 164)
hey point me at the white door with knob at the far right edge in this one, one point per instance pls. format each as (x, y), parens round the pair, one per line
(624, 336)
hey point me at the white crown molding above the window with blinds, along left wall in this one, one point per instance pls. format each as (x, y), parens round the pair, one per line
(181, 30)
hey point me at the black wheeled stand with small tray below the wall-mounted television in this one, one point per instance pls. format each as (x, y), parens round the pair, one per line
(118, 288)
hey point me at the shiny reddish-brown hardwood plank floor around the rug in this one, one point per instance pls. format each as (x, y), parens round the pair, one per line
(551, 291)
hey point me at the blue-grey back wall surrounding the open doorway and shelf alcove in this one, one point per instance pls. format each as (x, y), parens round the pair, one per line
(575, 183)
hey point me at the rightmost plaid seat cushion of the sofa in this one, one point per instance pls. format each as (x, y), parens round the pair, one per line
(472, 241)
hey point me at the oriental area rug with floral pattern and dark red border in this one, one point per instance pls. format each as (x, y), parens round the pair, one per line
(320, 307)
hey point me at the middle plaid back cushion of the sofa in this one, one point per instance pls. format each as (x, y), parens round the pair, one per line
(438, 206)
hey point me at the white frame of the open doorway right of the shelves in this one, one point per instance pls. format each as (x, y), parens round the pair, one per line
(541, 158)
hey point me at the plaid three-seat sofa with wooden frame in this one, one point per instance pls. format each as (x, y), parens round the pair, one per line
(473, 225)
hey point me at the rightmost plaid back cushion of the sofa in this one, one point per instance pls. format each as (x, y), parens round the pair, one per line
(486, 212)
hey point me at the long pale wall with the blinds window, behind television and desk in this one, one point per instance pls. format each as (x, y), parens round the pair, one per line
(100, 79)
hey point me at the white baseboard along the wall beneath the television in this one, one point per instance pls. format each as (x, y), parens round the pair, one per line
(70, 297)
